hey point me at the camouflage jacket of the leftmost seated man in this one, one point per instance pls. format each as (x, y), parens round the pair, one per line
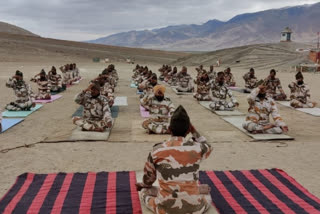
(21, 89)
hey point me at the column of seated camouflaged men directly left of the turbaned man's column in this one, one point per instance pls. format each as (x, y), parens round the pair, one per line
(97, 101)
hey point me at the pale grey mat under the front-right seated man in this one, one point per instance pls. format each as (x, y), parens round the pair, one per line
(237, 121)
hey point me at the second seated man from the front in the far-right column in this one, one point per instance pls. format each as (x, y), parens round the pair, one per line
(273, 84)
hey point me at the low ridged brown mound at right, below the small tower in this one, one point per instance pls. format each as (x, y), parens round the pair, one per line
(260, 56)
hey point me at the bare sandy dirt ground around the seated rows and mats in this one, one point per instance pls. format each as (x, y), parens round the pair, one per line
(128, 145)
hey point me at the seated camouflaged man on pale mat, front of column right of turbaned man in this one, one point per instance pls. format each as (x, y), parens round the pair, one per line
(260, 108)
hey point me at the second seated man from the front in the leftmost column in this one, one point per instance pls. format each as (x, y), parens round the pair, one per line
(44, 86)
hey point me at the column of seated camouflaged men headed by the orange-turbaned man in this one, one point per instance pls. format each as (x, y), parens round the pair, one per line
(154, 100)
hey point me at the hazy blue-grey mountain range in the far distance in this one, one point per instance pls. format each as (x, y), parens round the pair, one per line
(245, 29)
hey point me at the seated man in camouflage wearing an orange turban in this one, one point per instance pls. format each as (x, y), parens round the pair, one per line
(161, 109)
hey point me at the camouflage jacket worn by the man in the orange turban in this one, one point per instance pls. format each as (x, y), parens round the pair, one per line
(160, 110)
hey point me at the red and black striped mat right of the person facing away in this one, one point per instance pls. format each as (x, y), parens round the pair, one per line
(258, 191)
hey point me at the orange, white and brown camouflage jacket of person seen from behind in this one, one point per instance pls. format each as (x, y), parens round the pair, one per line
(176, 163)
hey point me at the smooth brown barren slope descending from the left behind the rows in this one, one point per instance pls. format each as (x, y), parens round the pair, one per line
(30, 48)
